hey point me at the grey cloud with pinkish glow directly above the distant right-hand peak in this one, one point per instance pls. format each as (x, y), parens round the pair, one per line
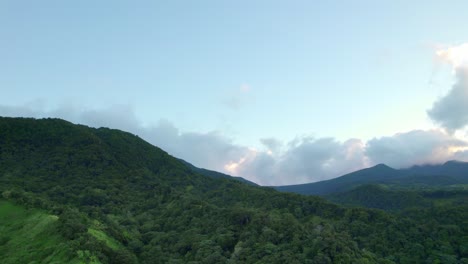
(415, 147)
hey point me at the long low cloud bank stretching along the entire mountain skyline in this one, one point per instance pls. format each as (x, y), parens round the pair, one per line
(301, 160)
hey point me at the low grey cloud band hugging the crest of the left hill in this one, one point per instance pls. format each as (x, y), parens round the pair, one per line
(209, 150)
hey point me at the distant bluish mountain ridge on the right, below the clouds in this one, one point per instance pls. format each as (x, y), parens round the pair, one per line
(427, 176)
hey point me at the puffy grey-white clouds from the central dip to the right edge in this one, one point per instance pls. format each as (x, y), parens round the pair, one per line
(314, 159)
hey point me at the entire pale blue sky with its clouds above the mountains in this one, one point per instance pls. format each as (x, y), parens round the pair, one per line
(278, 92)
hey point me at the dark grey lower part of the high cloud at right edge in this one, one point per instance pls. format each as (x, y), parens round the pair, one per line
(451, 111)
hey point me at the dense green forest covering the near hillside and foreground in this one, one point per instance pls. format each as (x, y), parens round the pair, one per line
(107, 196)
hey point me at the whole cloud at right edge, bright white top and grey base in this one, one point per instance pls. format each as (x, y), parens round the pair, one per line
(451, 110)
